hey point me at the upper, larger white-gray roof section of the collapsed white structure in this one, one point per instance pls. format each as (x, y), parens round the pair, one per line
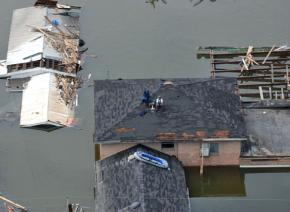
(27, 44)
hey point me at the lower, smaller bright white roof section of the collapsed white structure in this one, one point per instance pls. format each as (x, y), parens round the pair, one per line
(42, 104)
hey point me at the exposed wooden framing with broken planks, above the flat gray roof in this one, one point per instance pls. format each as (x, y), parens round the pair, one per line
(262, 73)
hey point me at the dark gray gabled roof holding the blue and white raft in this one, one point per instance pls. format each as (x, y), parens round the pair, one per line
(119, 183)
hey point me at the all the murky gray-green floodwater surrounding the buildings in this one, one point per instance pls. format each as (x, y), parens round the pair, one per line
(133, 40)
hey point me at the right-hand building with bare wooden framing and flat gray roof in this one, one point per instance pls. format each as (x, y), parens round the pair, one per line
(262, 84)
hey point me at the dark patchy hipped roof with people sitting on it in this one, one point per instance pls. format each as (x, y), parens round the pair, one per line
(190, 106)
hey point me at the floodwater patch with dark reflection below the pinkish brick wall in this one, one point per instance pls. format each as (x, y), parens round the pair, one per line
(231, 189)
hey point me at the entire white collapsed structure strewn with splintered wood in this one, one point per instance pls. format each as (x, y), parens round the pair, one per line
(43, 60)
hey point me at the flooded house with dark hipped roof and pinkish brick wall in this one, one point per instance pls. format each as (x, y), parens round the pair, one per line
(199, 122)
